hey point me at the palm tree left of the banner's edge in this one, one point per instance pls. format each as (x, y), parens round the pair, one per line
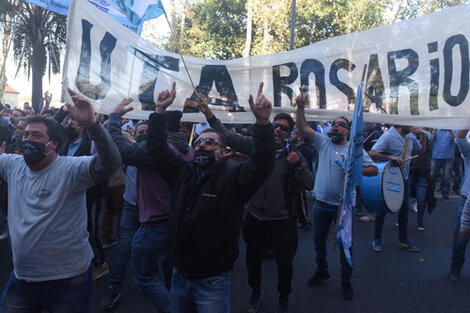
(39, 39)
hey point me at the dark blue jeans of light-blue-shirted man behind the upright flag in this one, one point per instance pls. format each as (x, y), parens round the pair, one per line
(323, 216)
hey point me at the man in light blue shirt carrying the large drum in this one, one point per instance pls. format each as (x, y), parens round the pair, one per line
(391, 147)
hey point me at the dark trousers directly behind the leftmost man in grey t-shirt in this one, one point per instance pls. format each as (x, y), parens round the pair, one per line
(113, 204)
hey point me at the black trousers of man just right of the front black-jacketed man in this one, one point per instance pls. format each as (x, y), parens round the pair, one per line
(279, 235)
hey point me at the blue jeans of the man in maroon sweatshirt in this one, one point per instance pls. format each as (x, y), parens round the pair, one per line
(150, 265)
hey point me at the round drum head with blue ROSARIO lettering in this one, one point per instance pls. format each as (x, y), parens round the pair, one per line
(393, 187)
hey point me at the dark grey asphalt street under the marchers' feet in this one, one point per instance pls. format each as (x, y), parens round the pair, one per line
(392, 281)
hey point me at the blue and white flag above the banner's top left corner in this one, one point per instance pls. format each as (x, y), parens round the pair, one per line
(131, 14)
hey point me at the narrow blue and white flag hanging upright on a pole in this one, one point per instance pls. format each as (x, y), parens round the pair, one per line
(353, 167)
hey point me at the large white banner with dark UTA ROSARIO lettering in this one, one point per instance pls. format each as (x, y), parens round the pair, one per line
(417, 72)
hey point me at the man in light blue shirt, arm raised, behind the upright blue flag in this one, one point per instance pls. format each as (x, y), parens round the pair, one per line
(332, 150)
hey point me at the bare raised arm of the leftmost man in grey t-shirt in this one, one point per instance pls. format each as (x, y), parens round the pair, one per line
(107, 160)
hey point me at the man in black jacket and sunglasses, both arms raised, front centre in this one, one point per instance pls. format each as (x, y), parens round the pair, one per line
(207, 206)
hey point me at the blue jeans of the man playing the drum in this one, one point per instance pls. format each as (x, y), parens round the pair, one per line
(402, 218)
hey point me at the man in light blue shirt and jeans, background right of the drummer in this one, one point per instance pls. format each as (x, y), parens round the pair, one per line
(443, 154)
